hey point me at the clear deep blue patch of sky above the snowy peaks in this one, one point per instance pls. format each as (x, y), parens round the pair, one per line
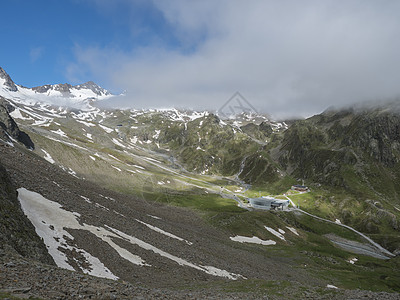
(39, 38)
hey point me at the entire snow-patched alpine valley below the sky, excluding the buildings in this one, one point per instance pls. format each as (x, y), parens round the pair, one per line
(122, 204)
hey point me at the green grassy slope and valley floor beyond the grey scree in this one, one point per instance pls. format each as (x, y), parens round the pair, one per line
(310, 249)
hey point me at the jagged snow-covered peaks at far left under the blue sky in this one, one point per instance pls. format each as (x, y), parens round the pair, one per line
(58, 94)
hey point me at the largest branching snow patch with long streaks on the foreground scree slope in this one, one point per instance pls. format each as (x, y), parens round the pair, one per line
(50, 221)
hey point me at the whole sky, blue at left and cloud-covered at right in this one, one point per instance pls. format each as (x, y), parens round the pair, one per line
(286, 57)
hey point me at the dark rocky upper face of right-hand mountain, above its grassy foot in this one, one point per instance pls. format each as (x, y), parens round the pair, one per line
(328, 147)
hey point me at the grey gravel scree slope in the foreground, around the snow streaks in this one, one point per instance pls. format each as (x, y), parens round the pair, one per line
(165, 279)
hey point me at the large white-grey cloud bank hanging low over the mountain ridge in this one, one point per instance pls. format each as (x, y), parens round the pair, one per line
(285, 57)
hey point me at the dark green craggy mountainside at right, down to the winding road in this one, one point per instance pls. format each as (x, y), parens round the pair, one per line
(354, 152)
